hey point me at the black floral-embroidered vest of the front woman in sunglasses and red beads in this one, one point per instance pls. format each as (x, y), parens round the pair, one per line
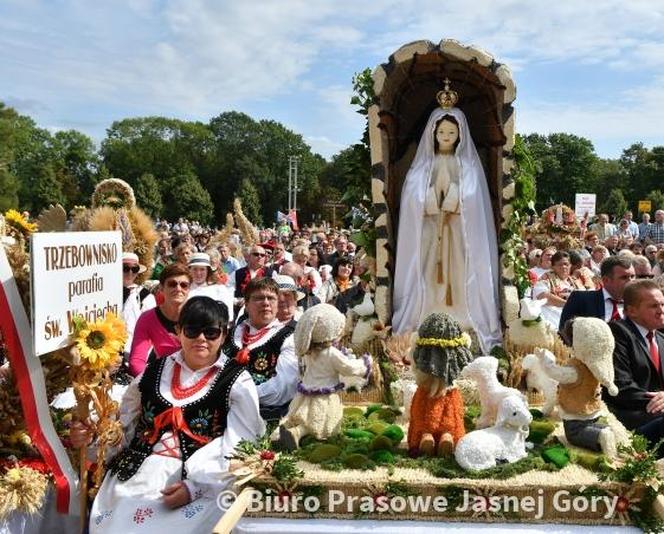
(206, 417)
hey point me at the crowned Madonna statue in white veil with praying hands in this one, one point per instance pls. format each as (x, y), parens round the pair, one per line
(447, 253)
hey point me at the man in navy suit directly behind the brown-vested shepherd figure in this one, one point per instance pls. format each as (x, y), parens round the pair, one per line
(605, 303)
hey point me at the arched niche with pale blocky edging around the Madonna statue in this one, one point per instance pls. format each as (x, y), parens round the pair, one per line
(405, 89)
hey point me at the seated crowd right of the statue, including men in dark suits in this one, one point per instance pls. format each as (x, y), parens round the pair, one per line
(618, 276)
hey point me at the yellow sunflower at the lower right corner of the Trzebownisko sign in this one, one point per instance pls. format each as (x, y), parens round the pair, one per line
(99, 343)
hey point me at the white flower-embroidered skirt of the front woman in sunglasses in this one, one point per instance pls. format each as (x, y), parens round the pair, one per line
(136, 505)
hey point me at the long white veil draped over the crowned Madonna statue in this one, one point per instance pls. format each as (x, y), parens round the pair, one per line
(479, 236)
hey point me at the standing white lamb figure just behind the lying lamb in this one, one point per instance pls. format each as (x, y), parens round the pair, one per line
(483, 371)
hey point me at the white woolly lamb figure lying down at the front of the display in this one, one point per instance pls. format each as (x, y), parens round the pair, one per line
(504, 441)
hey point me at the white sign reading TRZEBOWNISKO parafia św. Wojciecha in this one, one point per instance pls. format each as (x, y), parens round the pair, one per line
(73, 273)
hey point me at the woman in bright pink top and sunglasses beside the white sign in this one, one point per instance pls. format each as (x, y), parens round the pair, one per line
(155, 328)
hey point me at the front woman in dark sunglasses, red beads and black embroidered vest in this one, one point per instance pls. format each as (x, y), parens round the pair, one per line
(181, 419)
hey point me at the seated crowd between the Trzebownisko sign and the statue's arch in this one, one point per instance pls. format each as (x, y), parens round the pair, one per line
(210, 360)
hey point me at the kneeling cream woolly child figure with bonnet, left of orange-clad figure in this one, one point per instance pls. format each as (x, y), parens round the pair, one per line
(317, 409)
